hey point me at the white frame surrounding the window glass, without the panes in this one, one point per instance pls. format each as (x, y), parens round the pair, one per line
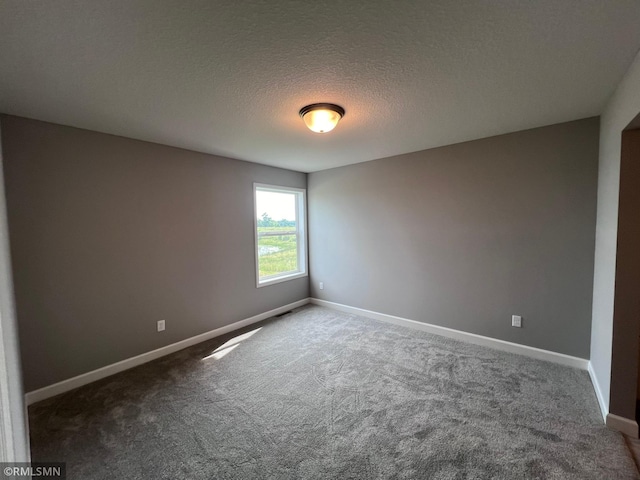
(301, 232)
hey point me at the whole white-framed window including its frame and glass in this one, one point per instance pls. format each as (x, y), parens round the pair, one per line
(281, 247)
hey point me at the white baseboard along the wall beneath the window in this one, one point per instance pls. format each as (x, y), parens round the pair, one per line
(85, 378)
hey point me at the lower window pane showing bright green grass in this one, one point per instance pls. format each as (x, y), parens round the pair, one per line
(277, 254)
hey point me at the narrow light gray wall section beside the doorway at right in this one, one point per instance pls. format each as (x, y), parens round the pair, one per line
(622, 108)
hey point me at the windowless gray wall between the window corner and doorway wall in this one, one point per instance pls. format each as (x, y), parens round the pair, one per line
(464, 236)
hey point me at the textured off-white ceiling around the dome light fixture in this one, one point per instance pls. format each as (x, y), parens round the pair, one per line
(228, 77)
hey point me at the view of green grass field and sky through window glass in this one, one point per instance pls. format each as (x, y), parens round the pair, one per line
(277, 233)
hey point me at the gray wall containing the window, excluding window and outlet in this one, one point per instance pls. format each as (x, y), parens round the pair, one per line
(109, 235)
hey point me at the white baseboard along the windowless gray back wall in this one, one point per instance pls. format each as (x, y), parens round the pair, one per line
(532, 352)
